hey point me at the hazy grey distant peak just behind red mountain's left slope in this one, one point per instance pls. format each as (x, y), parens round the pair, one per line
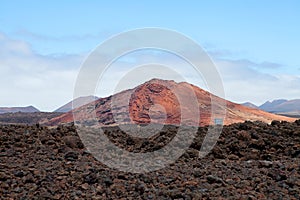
(76, 103)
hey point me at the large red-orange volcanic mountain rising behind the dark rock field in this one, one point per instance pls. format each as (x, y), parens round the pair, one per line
(164, 102)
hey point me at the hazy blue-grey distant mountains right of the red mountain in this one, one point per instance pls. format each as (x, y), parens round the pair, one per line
(279, 106)
